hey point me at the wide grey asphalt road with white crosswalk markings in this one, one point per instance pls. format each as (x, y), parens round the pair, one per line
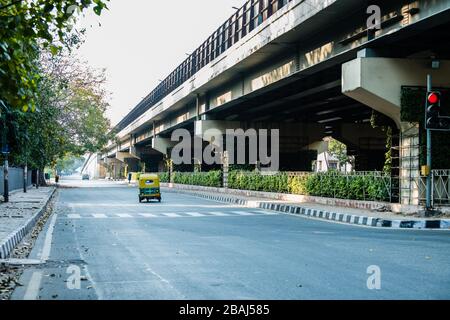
(192, 248)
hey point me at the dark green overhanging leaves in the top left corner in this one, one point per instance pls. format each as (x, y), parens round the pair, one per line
(25, 28)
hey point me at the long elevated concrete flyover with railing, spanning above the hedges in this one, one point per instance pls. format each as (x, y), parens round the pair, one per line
(311, 68)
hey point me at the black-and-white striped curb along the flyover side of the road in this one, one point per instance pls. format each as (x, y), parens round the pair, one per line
(324, 215)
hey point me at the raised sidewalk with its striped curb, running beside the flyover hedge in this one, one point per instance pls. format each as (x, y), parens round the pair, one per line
(358, 216)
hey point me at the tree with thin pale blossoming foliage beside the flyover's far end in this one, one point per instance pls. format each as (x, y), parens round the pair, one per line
(70, 120)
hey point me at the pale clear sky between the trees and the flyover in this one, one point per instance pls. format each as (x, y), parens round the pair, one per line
(139, 42)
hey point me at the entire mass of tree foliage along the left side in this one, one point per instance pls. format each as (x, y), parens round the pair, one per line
(69, 112)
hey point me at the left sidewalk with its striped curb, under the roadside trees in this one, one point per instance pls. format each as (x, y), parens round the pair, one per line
(20, 215)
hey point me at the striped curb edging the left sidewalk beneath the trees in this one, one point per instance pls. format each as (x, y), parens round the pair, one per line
(11, 241)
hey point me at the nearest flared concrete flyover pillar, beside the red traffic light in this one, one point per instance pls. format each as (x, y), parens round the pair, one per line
(377, 83)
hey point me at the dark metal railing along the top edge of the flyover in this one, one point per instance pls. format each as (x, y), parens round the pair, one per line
(246, 19)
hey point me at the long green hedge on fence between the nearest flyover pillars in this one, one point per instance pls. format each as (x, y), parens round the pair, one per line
(331, 184)
